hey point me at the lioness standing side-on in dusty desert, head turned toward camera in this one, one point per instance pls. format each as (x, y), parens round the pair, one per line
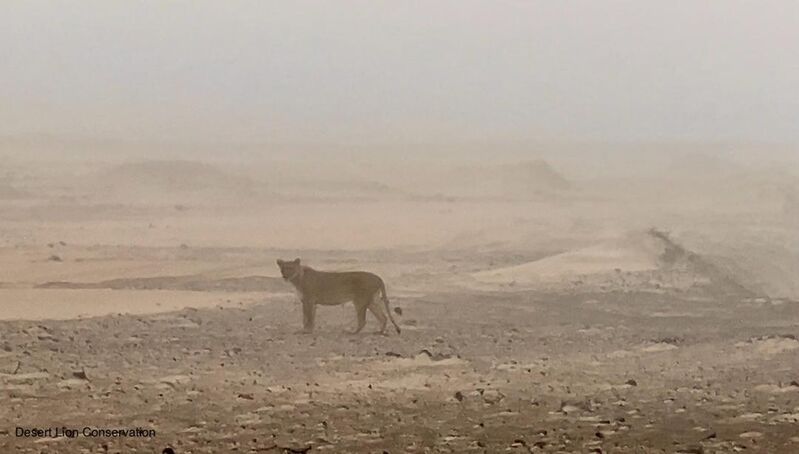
(332, 288)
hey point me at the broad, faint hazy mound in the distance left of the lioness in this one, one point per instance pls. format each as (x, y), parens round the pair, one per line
(172, 180)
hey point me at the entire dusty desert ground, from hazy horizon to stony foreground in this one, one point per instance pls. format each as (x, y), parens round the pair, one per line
(548, 304)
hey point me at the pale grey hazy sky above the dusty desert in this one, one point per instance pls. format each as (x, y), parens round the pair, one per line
(401, 70)
